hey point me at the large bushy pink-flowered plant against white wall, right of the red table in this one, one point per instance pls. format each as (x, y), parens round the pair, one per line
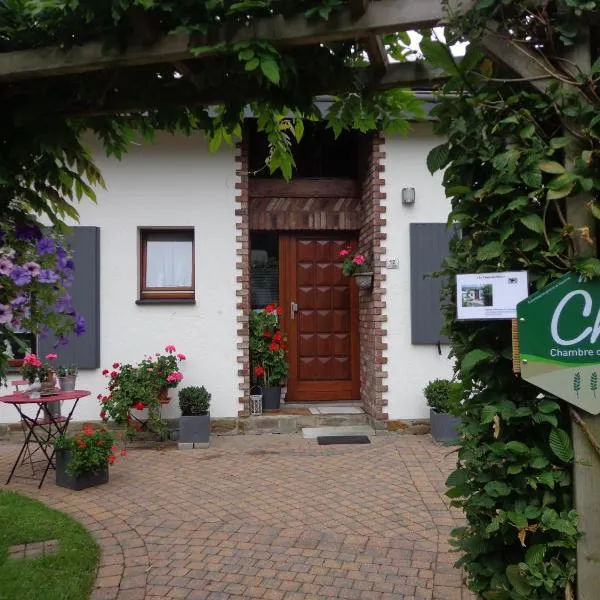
(141, 386)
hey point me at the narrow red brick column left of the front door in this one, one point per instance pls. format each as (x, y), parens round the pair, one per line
(243, 274)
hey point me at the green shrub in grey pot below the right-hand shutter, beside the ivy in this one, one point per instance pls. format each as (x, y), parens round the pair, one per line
(443, 398)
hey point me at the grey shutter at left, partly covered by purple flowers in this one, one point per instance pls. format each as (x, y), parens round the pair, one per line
(84, 351)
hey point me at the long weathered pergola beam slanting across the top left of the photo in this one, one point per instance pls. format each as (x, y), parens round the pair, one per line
(380, 16)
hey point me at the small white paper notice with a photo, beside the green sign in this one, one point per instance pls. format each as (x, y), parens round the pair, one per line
(487, 296)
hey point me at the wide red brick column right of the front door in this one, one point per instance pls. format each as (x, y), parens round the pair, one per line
(372, 327)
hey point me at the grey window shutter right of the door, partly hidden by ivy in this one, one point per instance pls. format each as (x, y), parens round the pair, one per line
(428, 248)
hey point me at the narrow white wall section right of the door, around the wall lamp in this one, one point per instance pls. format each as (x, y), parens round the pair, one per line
(409, 366)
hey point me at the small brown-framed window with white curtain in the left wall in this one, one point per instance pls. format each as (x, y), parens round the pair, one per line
(167, 264)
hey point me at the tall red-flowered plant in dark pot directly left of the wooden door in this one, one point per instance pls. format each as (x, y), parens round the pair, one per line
(267, 354)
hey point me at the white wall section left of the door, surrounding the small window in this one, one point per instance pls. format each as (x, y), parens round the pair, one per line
(174, 182)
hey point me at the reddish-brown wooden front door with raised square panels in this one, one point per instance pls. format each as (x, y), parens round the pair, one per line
(321, 318)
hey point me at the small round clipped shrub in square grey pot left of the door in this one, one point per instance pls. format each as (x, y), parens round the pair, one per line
(194, 423)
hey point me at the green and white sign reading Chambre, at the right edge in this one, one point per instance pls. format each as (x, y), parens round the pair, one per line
(559, 337)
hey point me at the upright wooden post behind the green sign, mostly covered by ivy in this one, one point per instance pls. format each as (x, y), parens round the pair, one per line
(587, 461)
